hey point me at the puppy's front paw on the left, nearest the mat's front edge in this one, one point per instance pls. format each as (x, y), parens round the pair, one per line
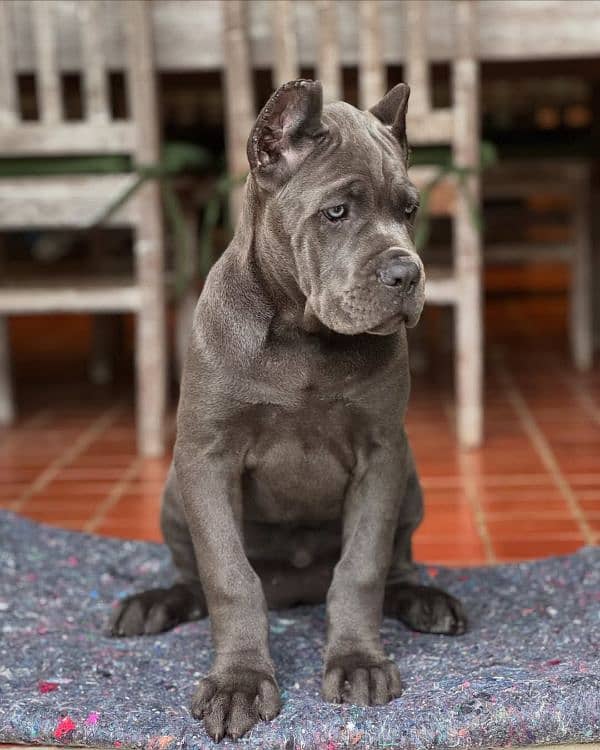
(231, 702)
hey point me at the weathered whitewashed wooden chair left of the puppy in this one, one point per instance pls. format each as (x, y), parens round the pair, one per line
(68, 201)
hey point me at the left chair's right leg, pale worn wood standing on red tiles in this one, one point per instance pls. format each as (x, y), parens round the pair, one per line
(151, 359)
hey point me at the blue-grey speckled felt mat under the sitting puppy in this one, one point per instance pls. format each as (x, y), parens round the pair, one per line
(527, 672)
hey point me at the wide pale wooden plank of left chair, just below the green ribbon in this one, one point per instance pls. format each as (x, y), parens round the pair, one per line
(65, 201)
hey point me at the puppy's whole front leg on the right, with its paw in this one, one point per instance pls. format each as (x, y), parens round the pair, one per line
(356, 669)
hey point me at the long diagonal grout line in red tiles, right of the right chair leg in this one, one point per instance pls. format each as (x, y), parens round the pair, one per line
(542, 447)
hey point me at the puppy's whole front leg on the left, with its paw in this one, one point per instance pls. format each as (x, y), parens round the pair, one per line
(240, 688)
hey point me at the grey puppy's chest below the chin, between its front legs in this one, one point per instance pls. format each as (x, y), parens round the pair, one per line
(316, 418)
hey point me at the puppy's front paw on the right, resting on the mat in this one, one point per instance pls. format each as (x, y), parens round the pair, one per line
(359, 679)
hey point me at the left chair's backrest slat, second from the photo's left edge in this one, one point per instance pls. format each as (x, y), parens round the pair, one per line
(48, 76)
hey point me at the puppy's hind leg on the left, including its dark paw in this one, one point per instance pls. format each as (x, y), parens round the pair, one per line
(156, 610)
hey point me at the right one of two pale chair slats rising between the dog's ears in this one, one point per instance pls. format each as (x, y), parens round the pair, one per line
(371, 71)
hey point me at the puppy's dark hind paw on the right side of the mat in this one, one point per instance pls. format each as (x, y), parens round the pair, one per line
(425, 608)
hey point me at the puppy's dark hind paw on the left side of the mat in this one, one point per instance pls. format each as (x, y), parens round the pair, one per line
(156, 610)
